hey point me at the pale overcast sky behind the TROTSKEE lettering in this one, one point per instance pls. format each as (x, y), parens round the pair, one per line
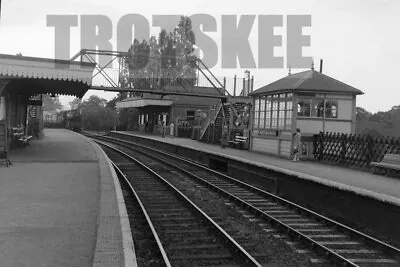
(359, 40)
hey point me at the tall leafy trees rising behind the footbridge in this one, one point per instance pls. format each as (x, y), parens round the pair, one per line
(166, 56)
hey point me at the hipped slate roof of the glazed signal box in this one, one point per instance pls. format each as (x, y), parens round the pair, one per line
(309, 80)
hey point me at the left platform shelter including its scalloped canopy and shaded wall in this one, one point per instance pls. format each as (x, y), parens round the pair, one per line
(22, 79)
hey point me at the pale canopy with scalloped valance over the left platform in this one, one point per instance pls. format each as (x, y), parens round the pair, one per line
(32, 75)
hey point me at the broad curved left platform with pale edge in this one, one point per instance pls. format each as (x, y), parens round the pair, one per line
(61, 205)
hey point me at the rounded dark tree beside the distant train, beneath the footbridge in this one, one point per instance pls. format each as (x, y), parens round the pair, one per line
(97, 116)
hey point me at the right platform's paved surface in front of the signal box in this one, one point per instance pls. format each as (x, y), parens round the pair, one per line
(361, 182)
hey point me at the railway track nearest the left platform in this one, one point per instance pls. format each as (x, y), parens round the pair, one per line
(184, 235)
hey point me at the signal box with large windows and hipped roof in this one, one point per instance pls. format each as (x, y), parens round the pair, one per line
(308, 100)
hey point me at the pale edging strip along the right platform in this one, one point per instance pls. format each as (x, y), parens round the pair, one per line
(343, 187)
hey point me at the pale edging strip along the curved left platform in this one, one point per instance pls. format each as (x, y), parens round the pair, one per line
(127, 242)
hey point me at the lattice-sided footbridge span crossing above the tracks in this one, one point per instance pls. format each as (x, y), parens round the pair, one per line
(196, 79)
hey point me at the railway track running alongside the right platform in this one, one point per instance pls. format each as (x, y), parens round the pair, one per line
(330, 239)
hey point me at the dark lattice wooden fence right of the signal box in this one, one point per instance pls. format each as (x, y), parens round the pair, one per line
(353, 150)
